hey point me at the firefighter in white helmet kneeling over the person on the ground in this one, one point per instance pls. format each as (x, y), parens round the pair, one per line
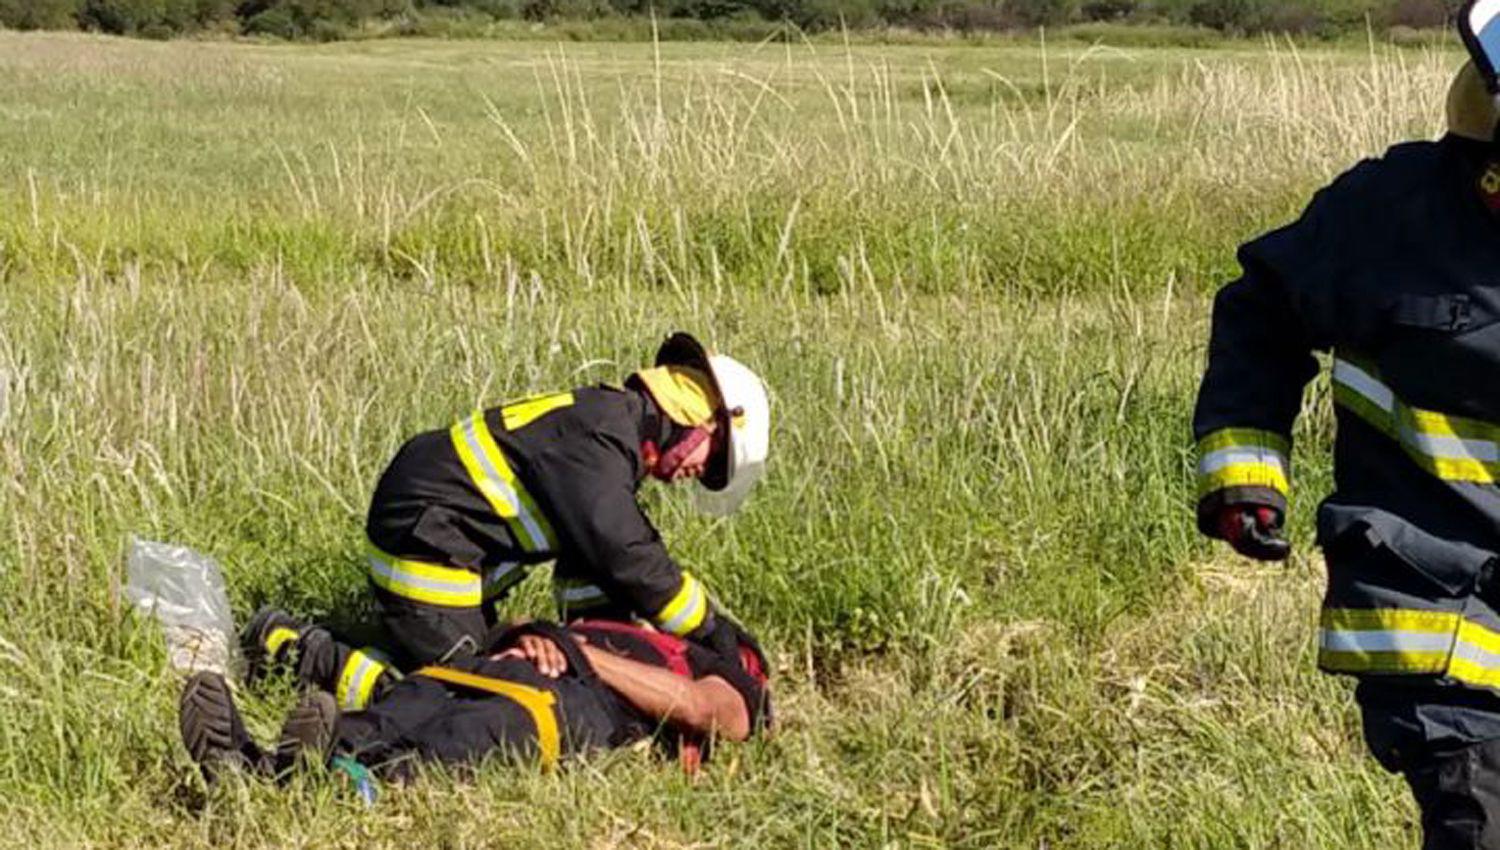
(463, 513)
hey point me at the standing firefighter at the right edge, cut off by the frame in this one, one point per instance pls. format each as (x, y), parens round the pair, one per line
(1394, 271)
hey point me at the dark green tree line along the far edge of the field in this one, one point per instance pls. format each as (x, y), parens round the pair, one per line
(340, 19)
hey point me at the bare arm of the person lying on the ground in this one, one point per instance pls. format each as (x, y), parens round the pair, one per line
(709, 705)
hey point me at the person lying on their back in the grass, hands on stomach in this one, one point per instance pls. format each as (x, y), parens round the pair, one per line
(541, 693)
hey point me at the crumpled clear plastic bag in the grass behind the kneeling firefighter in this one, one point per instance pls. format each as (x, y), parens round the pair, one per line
(184, 591)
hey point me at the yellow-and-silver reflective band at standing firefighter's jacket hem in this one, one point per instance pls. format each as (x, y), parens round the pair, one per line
(1409, 642)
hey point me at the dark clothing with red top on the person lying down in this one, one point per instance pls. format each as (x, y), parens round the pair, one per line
(484, 705)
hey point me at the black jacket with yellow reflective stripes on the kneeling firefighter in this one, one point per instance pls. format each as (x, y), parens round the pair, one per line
(461, 513)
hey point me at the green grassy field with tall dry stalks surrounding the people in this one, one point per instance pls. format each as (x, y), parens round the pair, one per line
(233, 278)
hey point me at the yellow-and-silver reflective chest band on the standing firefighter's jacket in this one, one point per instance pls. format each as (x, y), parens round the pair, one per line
(1454, 449)
